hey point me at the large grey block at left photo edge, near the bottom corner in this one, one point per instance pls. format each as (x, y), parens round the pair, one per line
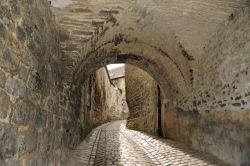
(8, 141)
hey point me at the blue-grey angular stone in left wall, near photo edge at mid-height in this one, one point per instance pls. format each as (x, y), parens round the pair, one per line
(15, 87)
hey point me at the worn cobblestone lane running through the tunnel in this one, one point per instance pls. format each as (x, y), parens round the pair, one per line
(112, 144)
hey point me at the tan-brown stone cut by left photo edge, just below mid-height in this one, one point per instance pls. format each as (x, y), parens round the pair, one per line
(4, 104)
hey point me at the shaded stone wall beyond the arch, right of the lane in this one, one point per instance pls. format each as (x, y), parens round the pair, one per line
(142, 97)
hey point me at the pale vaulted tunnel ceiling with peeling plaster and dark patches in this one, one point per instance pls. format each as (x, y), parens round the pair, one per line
(171, 33)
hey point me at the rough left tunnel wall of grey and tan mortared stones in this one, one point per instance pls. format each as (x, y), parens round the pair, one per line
(35, 123)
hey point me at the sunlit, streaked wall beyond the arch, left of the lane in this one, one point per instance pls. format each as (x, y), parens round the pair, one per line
(99, 101)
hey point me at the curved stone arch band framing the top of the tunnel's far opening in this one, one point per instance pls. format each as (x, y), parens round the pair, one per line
(157, 63)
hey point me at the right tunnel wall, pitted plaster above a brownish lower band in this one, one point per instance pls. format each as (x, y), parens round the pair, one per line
(216, 119)
